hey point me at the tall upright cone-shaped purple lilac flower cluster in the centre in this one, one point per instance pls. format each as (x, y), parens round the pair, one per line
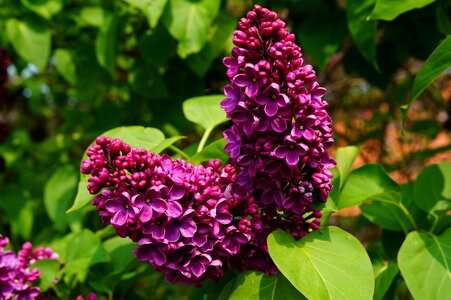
(279, 136)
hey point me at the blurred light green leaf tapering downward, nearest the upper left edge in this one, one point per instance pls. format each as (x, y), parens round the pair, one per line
(31, 38)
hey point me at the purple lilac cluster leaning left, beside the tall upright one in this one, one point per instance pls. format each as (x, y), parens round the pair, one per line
(175, 211)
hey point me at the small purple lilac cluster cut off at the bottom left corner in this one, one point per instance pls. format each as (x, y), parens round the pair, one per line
(16, 277)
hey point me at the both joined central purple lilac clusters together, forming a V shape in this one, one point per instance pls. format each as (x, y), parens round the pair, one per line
(190, 221)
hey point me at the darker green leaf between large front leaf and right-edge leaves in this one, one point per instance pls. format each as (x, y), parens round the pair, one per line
(387, 211)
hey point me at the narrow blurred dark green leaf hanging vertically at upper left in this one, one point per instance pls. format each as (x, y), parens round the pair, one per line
(106, 43)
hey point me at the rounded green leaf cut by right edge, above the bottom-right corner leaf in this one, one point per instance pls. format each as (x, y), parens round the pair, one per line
(433, 188)
